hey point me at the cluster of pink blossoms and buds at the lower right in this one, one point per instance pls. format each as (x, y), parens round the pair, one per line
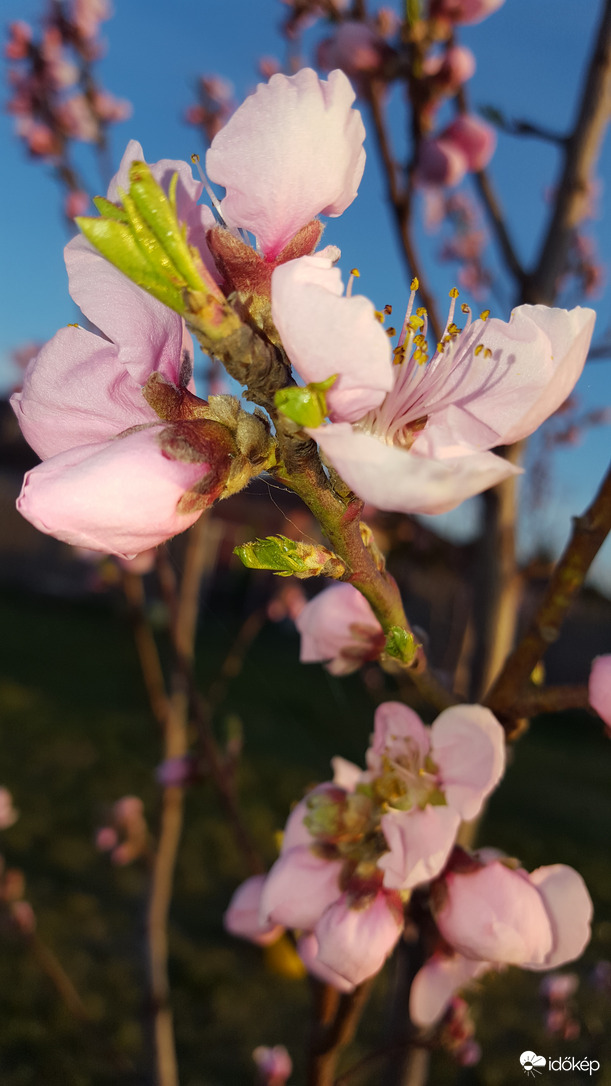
(357, 849)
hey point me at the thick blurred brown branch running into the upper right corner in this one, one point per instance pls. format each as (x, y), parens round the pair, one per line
(581, 153)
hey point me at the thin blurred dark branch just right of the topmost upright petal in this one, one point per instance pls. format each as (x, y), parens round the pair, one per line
(401, 205)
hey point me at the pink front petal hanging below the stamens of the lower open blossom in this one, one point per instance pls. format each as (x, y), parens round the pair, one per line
(421, 842)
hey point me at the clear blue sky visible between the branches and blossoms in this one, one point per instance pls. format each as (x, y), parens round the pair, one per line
(530, 61)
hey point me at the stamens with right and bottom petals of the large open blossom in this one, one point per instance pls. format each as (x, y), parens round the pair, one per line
(425, 449)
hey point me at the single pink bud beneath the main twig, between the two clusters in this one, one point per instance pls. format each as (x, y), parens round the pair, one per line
(339, 627)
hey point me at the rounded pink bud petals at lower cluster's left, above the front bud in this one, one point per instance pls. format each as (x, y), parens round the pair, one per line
(299, 888)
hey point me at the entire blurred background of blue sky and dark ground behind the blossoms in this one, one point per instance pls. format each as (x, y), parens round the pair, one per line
(78, 729)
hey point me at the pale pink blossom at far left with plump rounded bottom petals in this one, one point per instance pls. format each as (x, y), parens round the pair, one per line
(111, 479)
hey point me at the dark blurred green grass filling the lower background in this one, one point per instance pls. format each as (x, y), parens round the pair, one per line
(78, 736)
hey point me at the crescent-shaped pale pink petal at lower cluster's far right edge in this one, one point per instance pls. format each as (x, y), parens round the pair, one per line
(570, 911)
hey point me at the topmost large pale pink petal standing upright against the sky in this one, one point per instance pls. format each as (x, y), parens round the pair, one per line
(292, 151)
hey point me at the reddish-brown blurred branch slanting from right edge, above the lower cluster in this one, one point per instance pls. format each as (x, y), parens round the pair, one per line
(590, 533)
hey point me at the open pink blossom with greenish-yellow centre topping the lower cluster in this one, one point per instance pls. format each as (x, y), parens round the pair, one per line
(431, 779)
